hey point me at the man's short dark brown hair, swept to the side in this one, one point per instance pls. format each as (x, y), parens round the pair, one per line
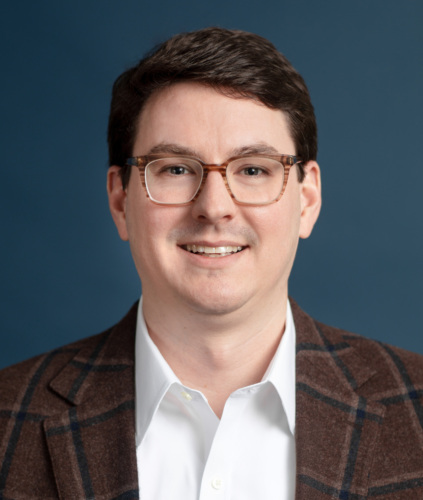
(235, 63)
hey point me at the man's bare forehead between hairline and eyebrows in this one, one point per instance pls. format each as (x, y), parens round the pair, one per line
(201, 119)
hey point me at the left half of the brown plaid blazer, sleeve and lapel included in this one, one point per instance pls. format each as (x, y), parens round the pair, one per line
(67, 427)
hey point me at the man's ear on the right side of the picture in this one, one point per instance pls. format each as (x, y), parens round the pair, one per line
(311, 198)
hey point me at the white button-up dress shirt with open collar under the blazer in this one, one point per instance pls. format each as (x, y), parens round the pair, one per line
(184, 452)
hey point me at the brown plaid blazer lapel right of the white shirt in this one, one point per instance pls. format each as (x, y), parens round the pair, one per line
(336, 427)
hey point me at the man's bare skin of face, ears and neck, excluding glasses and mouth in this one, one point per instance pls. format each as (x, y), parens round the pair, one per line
(217, 321)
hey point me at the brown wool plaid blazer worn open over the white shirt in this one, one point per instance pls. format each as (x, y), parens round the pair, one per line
(67, 419)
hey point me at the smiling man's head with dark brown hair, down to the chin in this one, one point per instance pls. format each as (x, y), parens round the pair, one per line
(213, 255)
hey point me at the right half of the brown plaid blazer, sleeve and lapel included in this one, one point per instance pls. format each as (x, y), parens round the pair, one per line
(359, 416)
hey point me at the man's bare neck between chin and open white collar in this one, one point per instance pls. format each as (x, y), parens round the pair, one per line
(216, 354)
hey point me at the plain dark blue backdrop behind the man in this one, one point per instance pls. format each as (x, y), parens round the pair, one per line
(64, 272)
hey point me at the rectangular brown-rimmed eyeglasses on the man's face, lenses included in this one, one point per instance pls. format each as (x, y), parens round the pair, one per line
(249, 179)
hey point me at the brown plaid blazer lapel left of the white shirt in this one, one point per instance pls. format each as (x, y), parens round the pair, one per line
(92, 445)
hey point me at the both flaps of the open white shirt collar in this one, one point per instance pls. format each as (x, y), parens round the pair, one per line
(154, 377)
